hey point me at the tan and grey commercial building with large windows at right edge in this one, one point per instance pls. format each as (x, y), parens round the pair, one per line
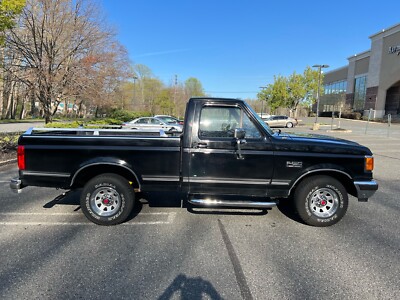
(370, 81)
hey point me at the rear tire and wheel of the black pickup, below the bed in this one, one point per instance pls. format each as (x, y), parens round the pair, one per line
(107, 199)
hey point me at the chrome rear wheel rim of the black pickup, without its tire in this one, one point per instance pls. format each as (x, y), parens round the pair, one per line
(105, 201)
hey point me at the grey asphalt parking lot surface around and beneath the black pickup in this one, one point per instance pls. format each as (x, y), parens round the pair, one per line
(49, 250)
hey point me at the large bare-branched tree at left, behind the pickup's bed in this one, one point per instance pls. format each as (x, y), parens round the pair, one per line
(54, 41)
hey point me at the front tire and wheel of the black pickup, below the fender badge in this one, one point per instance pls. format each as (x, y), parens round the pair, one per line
(321, 201)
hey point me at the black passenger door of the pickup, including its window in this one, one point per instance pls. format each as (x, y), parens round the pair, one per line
(217, 166)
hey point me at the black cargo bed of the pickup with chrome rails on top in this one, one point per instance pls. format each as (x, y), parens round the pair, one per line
(152, 154)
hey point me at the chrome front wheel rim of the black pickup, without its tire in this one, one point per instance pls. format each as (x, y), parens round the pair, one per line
(324, 202)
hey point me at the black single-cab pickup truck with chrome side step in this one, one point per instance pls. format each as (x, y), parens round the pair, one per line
(226, 156)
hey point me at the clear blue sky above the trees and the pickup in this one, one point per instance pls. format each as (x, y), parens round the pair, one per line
(235, 47)
